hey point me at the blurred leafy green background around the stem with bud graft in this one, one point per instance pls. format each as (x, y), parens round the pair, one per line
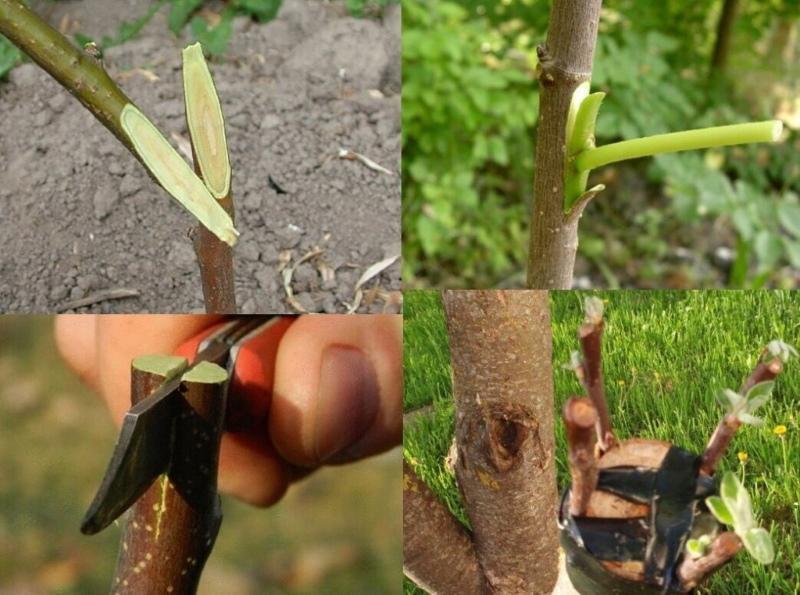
(725, 218)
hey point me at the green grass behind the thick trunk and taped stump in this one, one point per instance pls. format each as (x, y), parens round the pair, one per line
(665, 356)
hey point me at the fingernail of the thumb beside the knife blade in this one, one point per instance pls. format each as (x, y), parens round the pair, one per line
(348, 400)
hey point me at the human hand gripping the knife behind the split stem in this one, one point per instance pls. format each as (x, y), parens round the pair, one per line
(319, 389)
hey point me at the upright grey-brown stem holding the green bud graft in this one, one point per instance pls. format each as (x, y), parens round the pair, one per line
(565, 62)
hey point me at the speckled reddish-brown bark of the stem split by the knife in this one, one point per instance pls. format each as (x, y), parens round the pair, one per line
(173, 526)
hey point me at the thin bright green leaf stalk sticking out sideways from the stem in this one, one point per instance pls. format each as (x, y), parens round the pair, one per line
(703, 138)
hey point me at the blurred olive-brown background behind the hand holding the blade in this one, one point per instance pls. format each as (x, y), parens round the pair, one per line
(338, 531)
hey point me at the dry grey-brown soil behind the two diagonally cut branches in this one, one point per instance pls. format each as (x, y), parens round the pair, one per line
(79, 215)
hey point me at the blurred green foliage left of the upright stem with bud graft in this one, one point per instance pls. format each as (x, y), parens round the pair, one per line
(468, 108)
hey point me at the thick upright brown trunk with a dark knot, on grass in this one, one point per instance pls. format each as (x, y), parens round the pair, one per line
(501, 353)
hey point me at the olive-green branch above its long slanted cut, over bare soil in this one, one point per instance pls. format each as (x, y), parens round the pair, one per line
(81, 74)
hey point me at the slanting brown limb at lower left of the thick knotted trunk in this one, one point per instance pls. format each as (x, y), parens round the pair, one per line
(438, 553)
